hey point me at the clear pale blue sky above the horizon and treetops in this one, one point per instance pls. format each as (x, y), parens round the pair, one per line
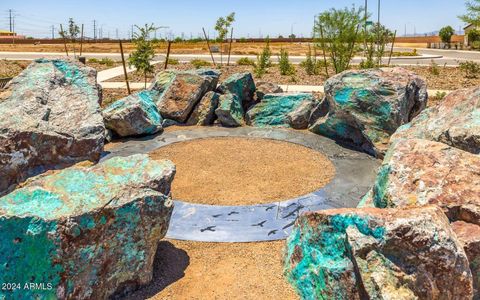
(254, 18)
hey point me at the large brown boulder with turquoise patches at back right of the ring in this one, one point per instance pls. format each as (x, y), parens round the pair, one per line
(366, 107)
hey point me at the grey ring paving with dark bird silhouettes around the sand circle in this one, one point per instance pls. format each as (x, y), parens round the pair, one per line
(355, 174)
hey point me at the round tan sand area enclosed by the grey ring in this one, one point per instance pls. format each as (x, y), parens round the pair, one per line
(244, 171)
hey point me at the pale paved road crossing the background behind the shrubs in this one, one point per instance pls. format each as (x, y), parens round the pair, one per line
(441, 57)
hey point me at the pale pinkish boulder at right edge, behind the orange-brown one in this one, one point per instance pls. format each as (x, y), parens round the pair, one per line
(455, 122)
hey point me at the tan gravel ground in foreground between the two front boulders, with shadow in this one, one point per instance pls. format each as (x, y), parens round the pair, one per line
(192, 270)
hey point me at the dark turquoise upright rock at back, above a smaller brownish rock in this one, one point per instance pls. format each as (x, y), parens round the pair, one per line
(241, 85)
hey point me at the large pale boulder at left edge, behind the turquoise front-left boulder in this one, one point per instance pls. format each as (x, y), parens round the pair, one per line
(49, 118)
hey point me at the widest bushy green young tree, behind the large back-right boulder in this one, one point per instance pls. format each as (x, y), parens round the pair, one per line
(336, 32)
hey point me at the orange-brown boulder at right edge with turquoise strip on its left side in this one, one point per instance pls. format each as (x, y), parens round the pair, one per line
(418, 172)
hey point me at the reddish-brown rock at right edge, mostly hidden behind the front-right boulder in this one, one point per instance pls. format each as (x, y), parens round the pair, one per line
(469, 236)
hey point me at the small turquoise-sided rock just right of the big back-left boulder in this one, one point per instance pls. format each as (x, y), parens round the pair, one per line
(134, 115)
